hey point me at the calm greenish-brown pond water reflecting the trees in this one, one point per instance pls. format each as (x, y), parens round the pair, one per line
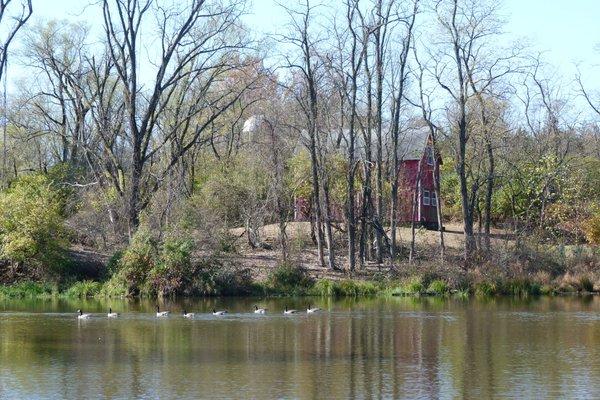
(379, 348)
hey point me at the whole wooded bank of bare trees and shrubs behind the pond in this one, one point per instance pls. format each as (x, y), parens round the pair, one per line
(189, 179)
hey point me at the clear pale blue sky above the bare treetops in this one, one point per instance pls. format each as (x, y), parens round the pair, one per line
(568, 32)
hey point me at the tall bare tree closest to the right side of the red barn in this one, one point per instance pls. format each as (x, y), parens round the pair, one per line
(462, 69)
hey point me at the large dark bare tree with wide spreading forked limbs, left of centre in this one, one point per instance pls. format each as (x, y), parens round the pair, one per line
(198, 46)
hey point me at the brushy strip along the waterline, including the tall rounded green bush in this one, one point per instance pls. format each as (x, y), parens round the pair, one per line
(149, 269)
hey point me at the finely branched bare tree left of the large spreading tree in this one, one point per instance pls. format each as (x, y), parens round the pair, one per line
(60, 95)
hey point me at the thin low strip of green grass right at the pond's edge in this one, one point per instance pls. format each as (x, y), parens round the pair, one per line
(414, 286)
